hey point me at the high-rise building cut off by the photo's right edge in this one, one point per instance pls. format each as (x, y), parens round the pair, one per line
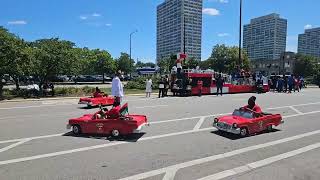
(309, 42)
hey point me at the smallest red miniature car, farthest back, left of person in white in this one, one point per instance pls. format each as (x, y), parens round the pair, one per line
(96, 101)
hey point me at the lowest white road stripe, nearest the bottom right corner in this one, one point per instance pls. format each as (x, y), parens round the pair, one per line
(261, 163)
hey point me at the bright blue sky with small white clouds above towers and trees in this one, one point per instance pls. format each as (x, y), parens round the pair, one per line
(106, 24)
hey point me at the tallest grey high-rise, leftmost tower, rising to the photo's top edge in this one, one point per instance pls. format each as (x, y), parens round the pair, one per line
(179, 21)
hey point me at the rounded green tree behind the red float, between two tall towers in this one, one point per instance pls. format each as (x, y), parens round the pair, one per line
(225, 59)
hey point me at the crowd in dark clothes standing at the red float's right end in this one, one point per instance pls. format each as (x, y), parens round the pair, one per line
(286, 84)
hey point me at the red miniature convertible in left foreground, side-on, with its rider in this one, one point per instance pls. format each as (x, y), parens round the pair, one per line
(115, 122)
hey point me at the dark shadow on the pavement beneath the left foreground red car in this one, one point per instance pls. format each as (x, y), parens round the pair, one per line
(127, 138)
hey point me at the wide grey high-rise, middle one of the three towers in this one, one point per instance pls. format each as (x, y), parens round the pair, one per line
(265, 37)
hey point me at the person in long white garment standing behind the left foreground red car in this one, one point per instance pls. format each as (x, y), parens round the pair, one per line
(117, 89)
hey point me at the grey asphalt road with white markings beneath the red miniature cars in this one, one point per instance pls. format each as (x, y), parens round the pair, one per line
(179, 144)
